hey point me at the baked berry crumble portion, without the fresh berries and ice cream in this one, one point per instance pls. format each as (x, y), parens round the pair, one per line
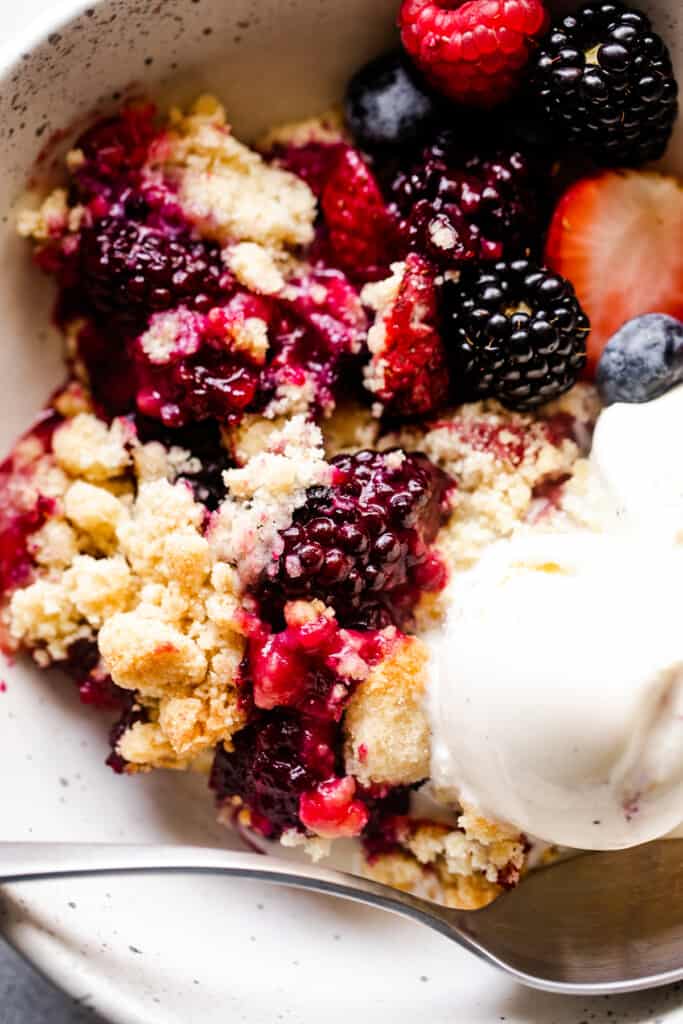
(235, 525)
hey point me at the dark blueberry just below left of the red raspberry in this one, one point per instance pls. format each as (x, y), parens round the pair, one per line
(388, 105)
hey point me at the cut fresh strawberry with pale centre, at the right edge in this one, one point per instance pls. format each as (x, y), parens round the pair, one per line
(618, 237)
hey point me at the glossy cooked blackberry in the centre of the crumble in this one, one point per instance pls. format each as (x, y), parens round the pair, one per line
(362, 546)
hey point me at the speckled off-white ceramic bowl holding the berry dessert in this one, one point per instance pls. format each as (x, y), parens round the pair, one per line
(179, 951)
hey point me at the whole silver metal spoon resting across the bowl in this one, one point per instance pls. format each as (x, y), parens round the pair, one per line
(601, 923)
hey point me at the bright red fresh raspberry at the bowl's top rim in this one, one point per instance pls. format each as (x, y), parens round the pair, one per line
(473, 53)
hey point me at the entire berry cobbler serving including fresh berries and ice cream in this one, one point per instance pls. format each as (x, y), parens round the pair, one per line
(359, 496)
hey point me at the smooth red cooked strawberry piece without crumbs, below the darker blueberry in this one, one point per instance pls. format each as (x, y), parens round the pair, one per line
(361, 229)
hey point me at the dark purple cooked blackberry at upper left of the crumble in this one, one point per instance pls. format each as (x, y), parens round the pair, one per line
(130, 271)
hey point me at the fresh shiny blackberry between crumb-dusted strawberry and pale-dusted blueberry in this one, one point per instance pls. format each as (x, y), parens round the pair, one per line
(515, 331)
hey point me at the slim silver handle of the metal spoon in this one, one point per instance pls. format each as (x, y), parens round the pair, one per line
(30, 862)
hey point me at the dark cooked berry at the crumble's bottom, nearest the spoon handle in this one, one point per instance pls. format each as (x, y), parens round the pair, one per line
(276, 759)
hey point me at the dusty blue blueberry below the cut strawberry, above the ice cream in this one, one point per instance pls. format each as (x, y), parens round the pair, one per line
(643, 361)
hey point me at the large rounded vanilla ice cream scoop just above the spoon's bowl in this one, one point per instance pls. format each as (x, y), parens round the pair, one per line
(558, 690)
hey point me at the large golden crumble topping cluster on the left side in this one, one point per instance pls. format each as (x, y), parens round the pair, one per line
(163, 611)
